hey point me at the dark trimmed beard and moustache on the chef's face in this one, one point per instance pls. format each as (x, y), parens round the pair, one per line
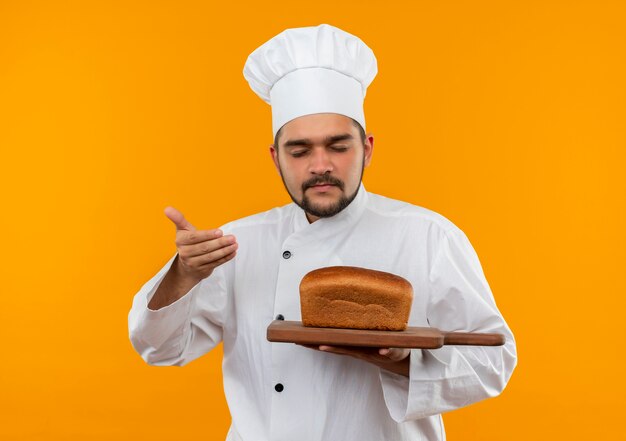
(319, 210)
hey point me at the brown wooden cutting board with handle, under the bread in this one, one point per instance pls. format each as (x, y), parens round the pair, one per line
(413, 337)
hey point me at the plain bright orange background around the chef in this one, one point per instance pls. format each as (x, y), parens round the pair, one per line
(506, 117)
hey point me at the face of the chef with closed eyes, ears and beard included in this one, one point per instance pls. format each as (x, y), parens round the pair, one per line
(321, 160)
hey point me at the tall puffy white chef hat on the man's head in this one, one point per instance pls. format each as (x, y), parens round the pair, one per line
(317, 69)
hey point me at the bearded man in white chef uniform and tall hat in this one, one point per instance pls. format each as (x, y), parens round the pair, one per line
(228, 284)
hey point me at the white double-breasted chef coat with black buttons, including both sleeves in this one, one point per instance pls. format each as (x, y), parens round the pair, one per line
(330, 397)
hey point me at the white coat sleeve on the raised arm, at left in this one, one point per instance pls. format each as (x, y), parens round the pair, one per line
(184, 330)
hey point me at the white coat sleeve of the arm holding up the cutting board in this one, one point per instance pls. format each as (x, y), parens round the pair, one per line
(451, 377)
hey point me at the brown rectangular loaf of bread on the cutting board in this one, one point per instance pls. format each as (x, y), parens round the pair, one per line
(356, 298)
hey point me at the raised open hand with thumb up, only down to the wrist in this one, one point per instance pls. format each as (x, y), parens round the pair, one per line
(199, 251)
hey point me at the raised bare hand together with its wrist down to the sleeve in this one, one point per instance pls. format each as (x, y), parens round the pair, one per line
(199, 253)
